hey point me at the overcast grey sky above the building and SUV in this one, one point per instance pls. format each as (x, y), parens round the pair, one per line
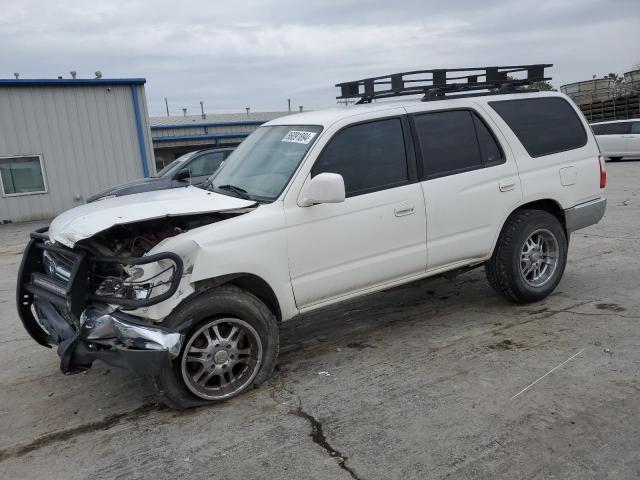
(234, 54)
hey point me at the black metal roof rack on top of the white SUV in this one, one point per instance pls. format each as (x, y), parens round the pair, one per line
(494, 79)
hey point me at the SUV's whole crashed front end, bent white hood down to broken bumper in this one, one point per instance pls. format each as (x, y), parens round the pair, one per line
(102, 277)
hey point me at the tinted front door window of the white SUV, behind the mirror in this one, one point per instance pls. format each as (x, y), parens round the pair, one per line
(369, 156)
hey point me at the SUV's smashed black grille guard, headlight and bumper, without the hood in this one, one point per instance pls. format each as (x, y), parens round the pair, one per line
(77, 299)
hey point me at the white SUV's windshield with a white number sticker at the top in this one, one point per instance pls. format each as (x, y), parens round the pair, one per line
(260, 168)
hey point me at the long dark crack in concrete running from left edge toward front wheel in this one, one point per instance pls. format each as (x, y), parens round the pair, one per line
(64, 435)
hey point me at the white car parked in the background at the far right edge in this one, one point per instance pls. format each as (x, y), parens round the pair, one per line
(619, 138)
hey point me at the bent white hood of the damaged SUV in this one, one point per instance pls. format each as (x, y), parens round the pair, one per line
(87, 220)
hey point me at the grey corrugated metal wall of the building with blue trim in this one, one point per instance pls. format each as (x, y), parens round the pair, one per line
(87, 138)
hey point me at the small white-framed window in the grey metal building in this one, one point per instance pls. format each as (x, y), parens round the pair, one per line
(22, 175)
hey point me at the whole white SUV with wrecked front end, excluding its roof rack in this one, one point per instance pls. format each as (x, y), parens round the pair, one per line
(187, 286)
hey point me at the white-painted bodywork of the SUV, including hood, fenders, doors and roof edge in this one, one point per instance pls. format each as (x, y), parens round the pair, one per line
(314, 256)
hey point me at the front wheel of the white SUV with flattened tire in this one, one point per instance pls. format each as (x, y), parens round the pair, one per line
(231, 346)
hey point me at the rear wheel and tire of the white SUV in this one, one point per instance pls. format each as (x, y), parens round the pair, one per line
(532, 242)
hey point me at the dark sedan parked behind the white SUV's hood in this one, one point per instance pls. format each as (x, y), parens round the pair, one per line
(192, 168)
